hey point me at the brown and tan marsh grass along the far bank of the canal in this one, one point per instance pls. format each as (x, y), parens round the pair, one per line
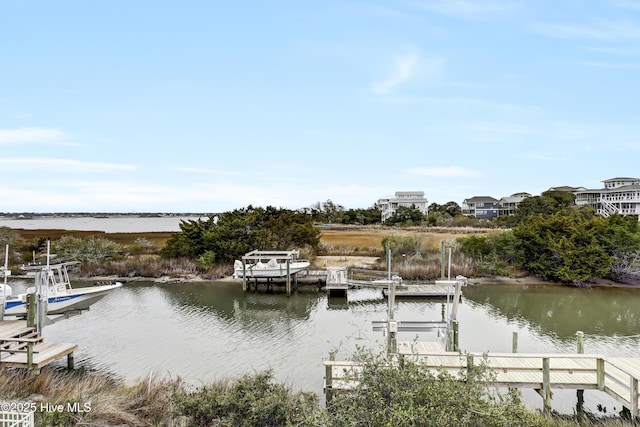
(341, 245)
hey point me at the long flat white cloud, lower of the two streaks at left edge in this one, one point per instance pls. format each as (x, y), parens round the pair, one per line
(48, 166)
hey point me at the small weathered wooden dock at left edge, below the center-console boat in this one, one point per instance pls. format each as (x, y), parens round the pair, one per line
(22, 347)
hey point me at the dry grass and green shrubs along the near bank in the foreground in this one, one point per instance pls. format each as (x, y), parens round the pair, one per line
(402, 395)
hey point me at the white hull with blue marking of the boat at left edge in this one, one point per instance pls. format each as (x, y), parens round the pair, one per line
(73, 300)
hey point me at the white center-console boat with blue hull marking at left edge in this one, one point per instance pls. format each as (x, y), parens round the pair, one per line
(54, 287)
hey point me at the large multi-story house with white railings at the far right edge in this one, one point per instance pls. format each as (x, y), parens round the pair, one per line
(619, 195)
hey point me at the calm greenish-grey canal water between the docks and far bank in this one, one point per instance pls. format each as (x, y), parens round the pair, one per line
(211, 330)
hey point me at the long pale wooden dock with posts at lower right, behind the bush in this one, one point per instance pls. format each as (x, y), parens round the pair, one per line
(616, 376)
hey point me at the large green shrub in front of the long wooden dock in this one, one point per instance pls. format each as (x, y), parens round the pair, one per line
(404, 393)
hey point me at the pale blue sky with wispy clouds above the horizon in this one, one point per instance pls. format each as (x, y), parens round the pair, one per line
(208, 106)
